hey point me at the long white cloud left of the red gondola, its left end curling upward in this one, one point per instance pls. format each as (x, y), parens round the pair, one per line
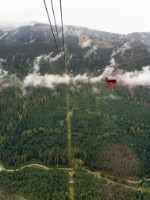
(35, 79)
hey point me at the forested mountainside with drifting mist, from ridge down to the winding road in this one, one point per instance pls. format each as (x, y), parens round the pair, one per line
(109, 124)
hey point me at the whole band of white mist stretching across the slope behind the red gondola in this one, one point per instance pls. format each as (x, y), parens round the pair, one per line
(35, 79)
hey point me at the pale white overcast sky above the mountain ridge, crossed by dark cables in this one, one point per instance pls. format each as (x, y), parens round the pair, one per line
(119, 16)
